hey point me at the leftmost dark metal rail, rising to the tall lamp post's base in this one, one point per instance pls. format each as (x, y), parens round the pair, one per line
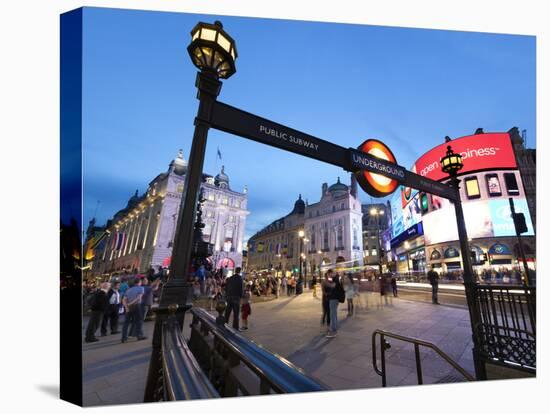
(183, 377)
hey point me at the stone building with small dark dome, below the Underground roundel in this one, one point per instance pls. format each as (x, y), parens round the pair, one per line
(332, 234)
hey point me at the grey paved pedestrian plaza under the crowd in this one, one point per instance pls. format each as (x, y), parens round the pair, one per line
(115, 373)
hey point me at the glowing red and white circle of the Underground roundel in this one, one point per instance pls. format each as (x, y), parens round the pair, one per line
(375, 184)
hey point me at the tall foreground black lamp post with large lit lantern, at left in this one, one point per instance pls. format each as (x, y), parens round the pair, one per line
(213, 52)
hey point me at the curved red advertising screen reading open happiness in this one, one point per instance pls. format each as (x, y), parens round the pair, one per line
(479, 152)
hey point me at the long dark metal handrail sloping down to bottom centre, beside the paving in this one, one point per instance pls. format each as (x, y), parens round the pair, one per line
(280, 374)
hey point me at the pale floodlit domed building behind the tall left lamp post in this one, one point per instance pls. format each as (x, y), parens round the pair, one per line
(141, 235)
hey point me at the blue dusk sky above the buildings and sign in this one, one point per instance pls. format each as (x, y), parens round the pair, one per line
(342, 83)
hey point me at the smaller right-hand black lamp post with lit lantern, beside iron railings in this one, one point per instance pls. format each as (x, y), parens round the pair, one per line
(451, 164)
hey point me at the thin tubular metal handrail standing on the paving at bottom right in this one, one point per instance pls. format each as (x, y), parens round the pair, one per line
(417, 343)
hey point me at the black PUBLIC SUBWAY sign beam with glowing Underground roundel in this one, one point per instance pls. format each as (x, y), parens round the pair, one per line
(373, 163)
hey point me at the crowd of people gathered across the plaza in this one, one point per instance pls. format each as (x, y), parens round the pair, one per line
(132, 295)
